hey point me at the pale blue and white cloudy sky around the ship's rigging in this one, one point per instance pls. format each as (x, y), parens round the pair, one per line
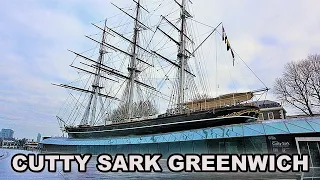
(35, 36)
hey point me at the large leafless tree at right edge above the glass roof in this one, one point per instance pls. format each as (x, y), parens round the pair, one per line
(299, 85)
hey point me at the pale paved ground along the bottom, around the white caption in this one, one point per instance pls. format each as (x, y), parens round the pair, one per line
(7, 173)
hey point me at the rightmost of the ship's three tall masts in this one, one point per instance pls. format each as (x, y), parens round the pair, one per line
(182, 57)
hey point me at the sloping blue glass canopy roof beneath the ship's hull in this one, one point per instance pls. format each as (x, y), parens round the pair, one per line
(268, 127)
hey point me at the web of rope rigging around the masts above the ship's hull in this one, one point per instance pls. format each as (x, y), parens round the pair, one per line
(144, 78)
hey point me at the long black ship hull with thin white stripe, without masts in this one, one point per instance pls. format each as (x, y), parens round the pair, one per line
(202, 119)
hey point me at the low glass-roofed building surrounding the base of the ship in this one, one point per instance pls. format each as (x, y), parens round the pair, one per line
(300, 135)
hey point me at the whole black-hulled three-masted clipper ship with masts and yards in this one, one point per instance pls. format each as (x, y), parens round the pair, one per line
(120, 101)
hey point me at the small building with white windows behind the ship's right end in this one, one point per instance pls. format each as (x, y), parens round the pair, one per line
(270, 110)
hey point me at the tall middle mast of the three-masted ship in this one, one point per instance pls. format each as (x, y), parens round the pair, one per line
(133, 64)
